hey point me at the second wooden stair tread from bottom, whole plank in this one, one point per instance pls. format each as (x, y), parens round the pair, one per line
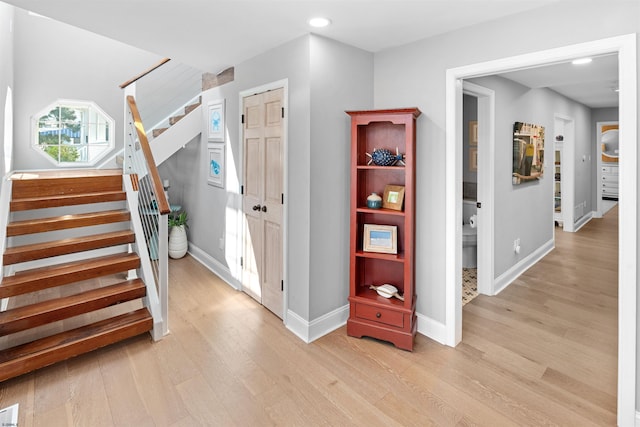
(33, 315)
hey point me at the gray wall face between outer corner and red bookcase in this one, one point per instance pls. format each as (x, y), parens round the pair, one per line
(341, 79)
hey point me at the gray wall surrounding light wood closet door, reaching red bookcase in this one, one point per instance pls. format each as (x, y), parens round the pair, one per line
(325, 78)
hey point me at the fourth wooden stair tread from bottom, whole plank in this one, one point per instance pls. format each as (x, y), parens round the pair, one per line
(48, 249)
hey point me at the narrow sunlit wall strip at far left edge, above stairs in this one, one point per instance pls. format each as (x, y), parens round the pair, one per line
(6, 76)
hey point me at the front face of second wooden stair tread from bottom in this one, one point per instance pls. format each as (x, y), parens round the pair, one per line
(11, 323)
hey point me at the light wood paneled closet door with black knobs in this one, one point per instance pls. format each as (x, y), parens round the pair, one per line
(263, 198)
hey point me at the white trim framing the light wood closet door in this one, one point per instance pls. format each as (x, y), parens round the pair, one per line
(284, 84)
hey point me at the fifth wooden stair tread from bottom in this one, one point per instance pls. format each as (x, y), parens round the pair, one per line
(29, 226)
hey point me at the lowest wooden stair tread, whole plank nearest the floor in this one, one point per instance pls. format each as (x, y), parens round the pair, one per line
(46, 351)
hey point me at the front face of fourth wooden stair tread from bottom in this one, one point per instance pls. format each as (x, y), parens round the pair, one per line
(67, 246)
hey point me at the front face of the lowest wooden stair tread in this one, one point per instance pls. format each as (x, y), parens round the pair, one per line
(19, 364)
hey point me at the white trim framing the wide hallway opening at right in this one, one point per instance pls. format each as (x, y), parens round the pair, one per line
(625, 47)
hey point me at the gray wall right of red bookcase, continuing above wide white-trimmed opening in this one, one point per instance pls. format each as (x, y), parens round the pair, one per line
(414, 75)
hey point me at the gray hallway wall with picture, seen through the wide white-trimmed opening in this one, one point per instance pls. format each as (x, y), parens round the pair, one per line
(525, 211)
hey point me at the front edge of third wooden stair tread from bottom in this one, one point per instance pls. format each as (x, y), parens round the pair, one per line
(59, 279)
